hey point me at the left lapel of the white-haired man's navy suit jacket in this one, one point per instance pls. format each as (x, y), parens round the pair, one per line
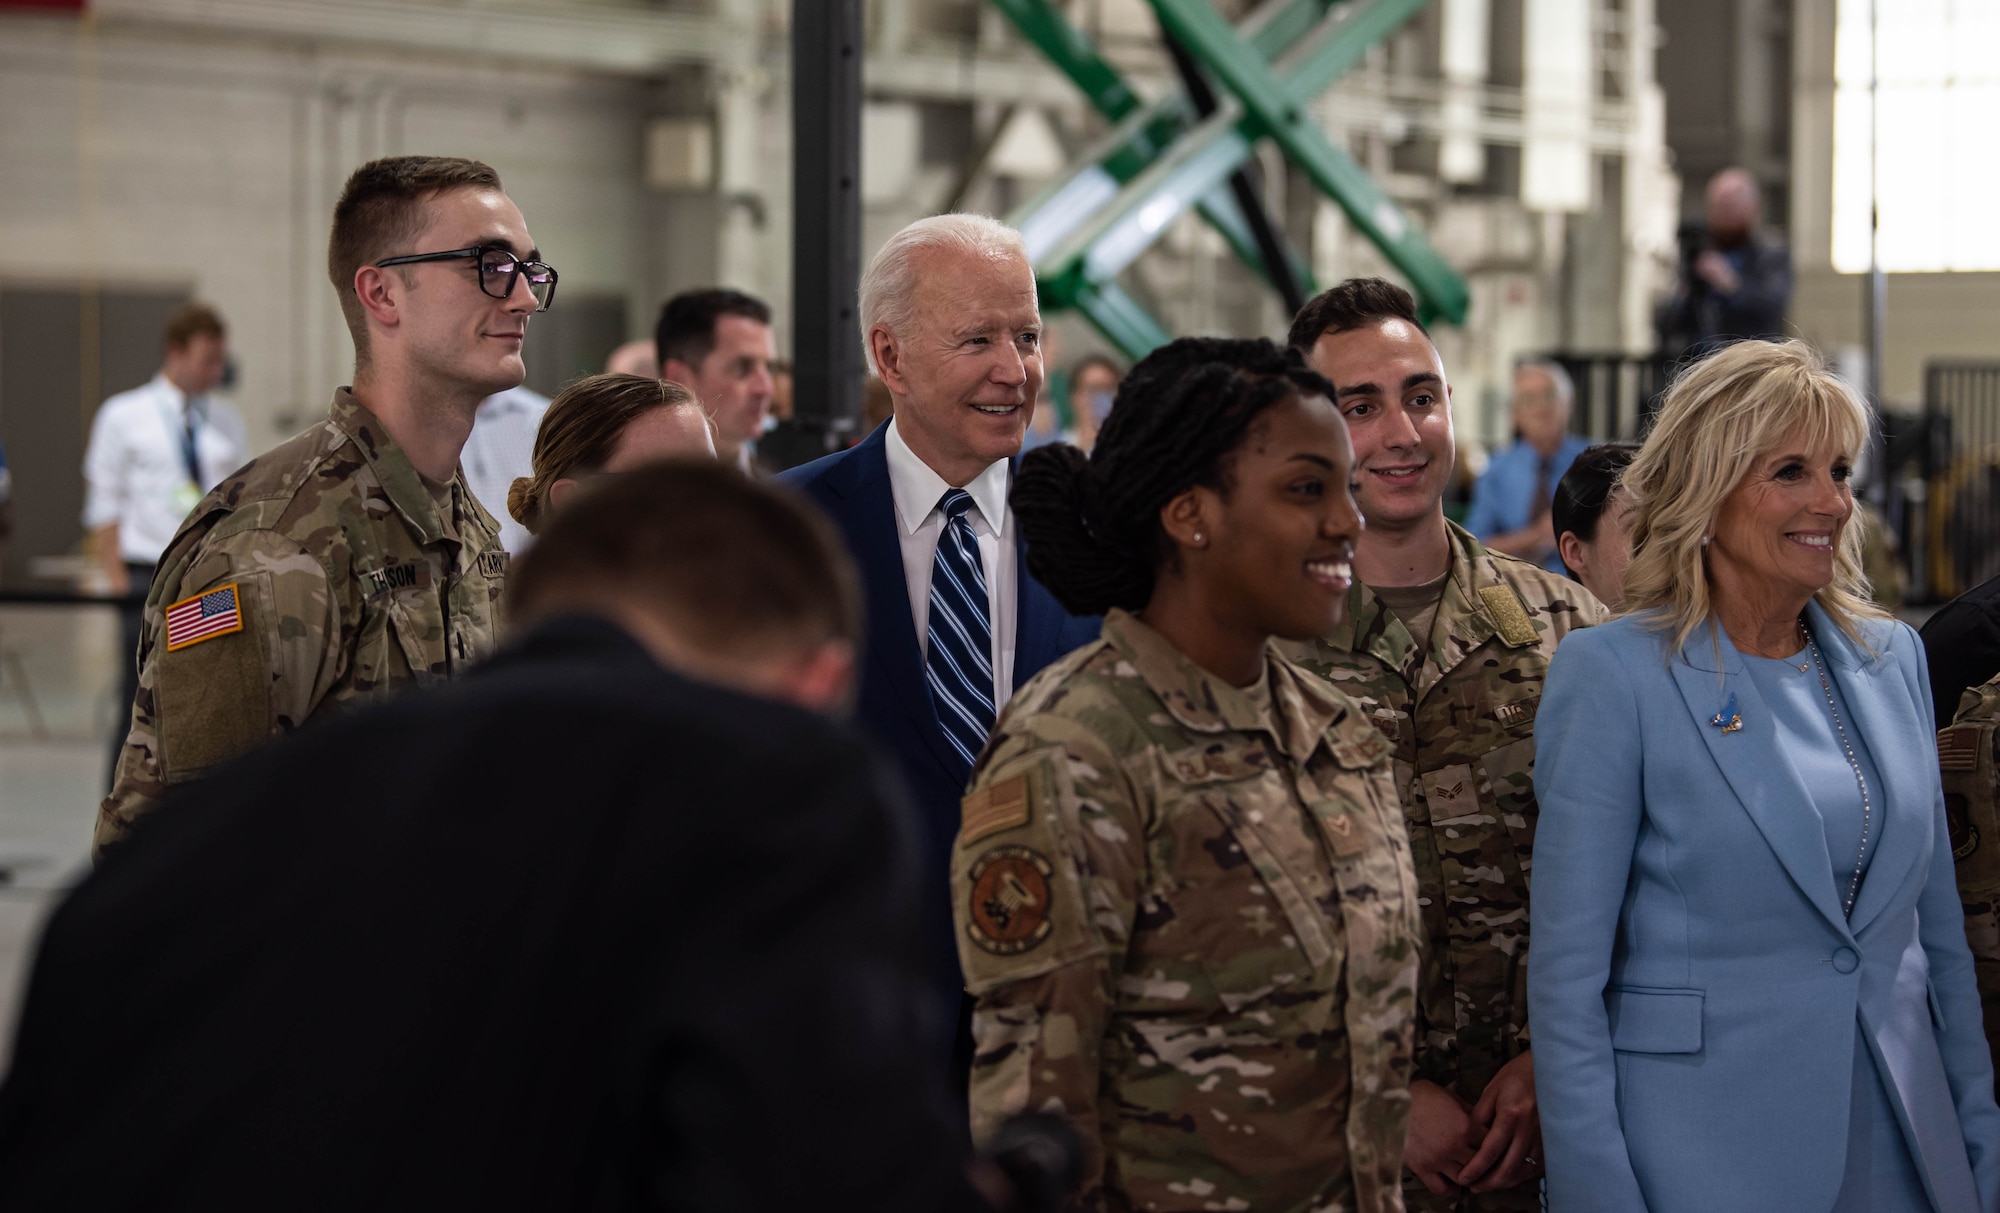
(875, 539)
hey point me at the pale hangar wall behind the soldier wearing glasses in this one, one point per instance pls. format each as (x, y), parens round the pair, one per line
(215, 163)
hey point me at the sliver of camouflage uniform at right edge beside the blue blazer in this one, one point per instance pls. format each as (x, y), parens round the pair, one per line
(1967, 752)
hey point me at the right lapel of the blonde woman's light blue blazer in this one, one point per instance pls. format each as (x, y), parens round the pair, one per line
(1905, 802)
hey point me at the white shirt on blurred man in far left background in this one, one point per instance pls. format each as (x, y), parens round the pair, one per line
(137, 463)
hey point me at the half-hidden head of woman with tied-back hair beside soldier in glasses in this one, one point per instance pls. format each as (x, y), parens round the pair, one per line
(599, 427)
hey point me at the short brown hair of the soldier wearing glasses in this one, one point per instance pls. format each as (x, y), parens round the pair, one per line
(383, 209)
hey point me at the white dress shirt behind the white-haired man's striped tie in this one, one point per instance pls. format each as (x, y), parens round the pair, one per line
(919, 525)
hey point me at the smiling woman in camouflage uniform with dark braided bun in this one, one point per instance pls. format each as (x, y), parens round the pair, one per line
(1213, 972)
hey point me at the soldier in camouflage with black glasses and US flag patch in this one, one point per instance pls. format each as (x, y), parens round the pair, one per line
(353, 559)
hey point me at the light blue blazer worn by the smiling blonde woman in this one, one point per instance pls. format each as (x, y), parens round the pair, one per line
(1695, 984)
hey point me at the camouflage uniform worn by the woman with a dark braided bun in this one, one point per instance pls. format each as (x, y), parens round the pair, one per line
(1189, 918)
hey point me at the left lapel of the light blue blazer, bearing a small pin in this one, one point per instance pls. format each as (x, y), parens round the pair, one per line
(1763, 780)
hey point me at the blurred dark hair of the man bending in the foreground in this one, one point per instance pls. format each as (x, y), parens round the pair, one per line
(735, 565)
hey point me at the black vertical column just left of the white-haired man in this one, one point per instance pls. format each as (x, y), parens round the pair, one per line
(827, 217)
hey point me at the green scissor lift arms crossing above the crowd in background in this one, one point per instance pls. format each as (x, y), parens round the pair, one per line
(1189, 151)
